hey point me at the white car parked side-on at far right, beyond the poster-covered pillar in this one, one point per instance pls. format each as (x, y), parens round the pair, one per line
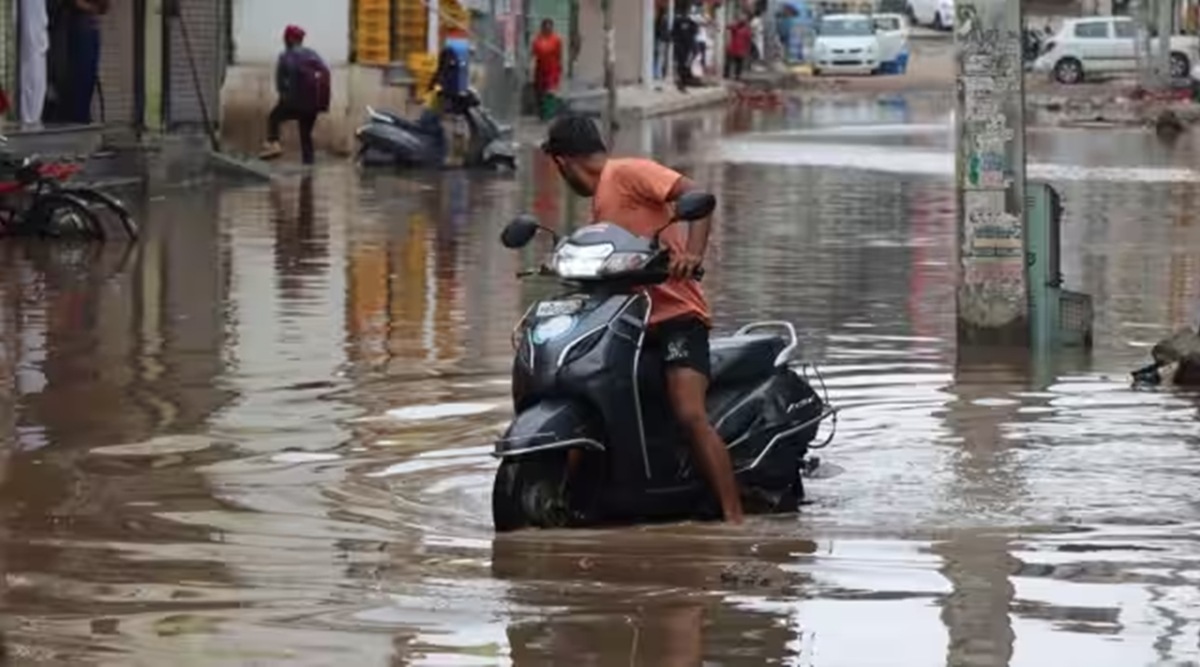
(1087, 47)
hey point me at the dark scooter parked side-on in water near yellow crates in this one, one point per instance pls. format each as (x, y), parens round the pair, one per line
(391, 140)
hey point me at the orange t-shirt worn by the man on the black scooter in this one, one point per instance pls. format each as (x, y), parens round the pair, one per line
(633, 193)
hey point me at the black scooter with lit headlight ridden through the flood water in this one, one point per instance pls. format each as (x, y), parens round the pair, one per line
(593, 440)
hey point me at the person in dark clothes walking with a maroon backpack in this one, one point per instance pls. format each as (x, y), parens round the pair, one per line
(302, 80)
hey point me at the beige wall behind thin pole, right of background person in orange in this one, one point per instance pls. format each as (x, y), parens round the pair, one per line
(627, 17)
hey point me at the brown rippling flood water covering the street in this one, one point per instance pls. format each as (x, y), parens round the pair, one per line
(262, 437)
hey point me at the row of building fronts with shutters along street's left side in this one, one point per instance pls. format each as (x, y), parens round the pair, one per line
(172, 67)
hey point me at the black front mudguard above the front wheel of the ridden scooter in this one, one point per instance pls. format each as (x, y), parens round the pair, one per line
(550, 425)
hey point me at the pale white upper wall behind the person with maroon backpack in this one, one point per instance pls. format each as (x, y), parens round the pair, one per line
(259, 29)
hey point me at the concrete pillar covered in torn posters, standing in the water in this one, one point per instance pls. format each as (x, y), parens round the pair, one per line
(993, 301)
